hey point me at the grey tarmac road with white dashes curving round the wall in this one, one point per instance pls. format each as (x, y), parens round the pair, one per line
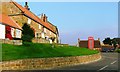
(108, 63)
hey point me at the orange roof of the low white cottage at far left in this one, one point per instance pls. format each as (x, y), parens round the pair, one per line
(5, 19)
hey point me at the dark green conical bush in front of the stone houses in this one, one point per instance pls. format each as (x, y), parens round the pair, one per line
(27, 33)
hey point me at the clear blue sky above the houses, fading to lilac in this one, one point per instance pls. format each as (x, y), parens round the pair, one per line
(80, 19)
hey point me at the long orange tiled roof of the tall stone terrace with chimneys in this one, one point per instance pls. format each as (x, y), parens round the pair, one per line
(33, 16)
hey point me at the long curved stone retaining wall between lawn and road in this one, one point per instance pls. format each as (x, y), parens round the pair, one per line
(48, 63)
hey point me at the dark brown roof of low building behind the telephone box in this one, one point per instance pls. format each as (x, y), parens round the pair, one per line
(84, 43)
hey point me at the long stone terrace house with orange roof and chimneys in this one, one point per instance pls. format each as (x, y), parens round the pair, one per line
(42, 27)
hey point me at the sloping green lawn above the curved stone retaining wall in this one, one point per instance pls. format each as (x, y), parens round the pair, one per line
(34, 50)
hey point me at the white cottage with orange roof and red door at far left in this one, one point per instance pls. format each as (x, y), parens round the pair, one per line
(9, 28)
